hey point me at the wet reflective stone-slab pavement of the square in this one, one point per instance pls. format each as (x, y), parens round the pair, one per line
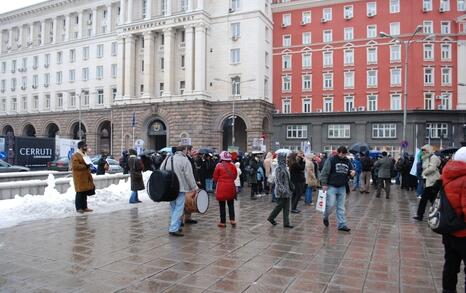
(130, 251)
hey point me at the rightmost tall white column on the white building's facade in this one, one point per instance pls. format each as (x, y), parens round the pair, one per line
(200, 61)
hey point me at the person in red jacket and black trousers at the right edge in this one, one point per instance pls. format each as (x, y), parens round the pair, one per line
(454, 185)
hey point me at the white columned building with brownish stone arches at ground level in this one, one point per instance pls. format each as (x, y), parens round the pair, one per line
(175, 64)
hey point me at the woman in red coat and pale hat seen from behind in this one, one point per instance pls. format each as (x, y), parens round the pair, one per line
(224, 177)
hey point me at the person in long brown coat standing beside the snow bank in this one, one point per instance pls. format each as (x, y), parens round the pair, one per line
(82, 178)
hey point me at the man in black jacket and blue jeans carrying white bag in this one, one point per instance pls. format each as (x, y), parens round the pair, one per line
(334, 177)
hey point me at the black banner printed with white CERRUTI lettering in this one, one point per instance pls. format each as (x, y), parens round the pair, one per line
(34, 152)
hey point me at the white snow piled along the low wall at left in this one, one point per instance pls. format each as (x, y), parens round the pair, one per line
(52, 204)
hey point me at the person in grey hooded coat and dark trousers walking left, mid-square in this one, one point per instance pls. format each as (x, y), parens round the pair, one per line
(283, 192)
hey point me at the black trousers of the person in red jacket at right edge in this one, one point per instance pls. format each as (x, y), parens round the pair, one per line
(455, 252)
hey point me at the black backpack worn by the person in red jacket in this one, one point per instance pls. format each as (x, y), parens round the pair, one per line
(442, 217)
